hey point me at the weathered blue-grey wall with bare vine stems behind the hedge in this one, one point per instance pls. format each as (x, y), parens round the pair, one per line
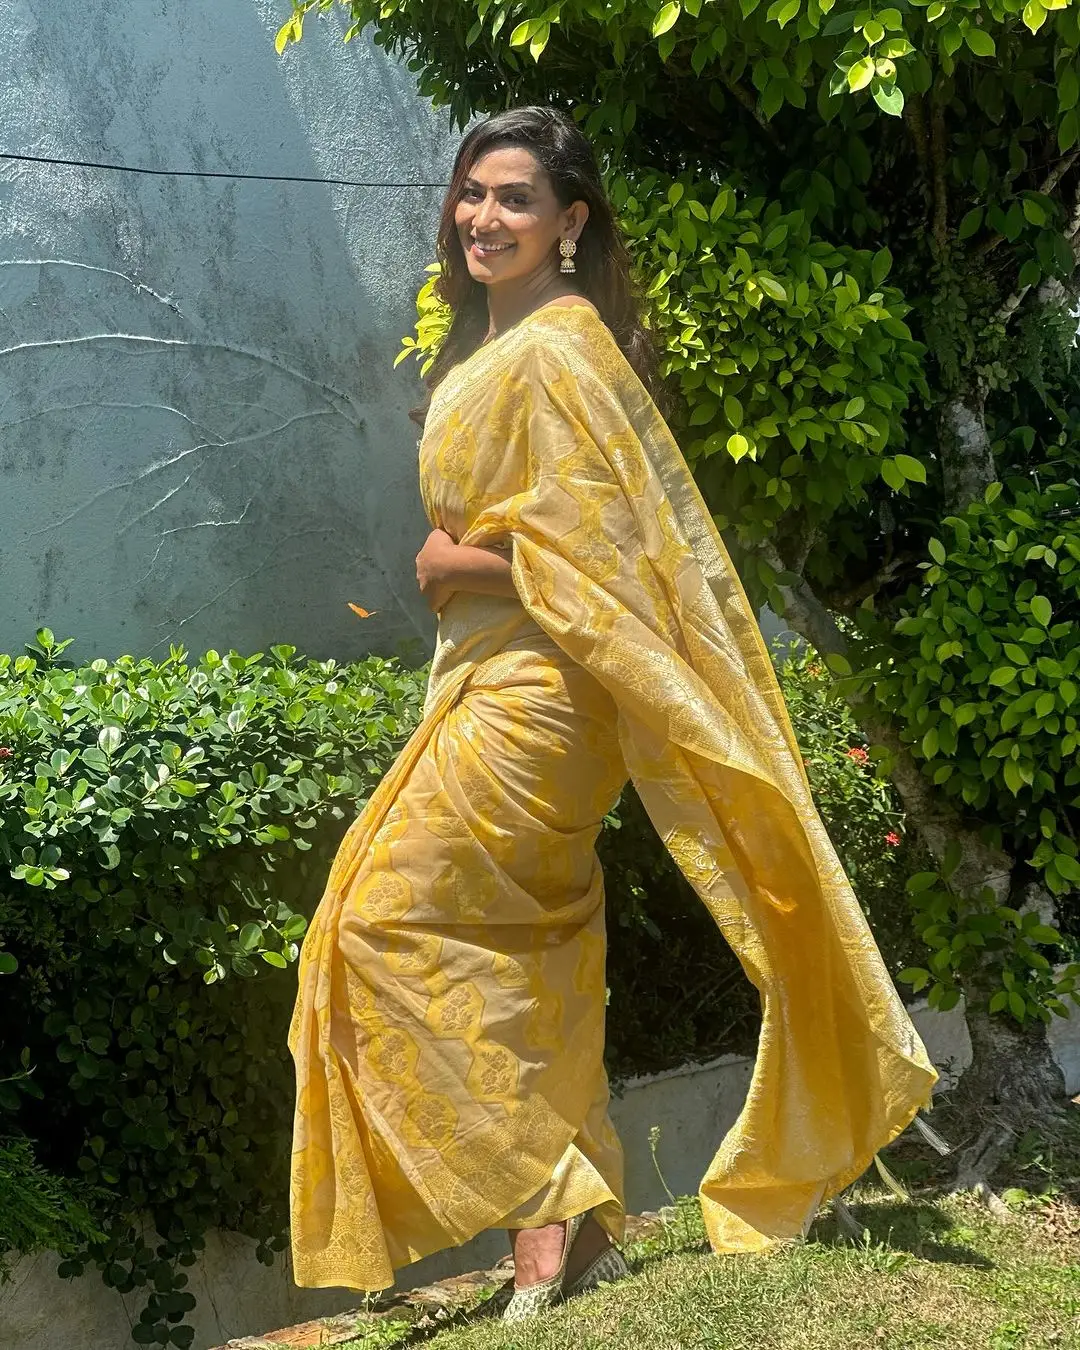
(202, 439)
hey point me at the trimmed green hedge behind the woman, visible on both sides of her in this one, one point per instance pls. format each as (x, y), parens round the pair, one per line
(167, 828)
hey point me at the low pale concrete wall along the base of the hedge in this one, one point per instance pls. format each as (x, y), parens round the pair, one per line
(237, 1297)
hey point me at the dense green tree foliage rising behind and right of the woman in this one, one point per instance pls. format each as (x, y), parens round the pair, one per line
(857, 232)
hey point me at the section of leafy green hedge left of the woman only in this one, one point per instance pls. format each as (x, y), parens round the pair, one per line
(163, 824)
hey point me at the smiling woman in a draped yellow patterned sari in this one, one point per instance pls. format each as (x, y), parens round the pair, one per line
(449, 1032)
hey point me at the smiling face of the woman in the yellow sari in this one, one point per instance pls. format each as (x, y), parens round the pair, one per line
(510, 219)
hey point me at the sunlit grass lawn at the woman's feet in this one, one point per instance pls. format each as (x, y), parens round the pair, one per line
(928, 1274)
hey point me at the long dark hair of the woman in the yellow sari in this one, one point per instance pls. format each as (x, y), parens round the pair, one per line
(603, 261)
